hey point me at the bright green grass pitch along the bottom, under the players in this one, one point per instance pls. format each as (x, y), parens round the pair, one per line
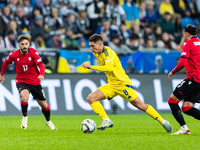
(135, 131)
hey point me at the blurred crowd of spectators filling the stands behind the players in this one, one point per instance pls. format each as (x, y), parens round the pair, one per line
(125, 25)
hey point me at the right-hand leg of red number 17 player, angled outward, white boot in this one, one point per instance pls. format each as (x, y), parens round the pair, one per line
(39, 95)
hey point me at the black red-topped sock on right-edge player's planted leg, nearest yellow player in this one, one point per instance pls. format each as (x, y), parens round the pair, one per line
(176, 111)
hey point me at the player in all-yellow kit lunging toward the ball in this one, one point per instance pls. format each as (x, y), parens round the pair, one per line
(118, 84)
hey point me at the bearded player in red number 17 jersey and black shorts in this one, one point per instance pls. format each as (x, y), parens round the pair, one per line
(28, 78)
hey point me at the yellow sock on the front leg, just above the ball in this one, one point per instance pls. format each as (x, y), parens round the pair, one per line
(98, 109)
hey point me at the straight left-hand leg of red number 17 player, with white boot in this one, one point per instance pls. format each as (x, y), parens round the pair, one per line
(24, 94)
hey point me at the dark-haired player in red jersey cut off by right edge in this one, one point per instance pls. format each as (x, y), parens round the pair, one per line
(189, 88)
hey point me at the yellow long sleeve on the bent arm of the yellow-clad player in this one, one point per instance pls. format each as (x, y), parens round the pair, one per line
(108, 66)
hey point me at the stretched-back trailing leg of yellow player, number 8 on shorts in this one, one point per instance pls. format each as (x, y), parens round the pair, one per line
(128, 93)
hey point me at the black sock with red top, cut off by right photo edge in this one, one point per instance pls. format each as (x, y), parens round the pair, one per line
(191, 111)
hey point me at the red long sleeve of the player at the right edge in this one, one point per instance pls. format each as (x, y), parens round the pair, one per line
(184, 57)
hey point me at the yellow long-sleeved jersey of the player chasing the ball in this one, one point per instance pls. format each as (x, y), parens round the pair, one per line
(111, 66)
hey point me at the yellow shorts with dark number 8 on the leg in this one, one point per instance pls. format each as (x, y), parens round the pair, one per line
(127, 92)
